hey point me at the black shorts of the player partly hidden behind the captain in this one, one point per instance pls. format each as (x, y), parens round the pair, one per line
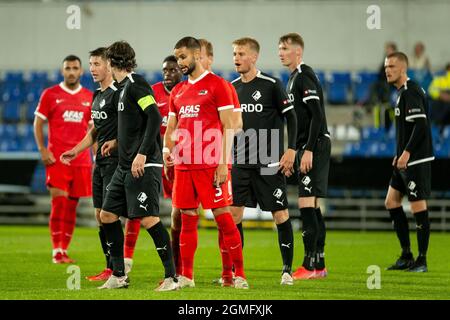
(101, 177)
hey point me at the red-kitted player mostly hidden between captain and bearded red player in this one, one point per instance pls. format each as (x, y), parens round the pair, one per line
(161, 90)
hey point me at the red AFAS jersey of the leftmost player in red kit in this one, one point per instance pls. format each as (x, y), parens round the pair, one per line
(68, 114)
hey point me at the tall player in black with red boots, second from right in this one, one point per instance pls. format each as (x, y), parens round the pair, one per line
(313, 143)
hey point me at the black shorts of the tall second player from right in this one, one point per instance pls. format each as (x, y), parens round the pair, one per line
(315, 182)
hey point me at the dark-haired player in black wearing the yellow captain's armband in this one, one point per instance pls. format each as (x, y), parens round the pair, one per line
(135, 186)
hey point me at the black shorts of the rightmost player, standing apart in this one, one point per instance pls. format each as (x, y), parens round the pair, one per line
(415, 181)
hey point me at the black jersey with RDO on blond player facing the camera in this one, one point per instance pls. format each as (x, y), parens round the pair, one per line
(263, 102)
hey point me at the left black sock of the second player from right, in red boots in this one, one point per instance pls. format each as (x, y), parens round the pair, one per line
(310, 229)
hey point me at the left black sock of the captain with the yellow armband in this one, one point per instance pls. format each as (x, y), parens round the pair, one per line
(115, 238)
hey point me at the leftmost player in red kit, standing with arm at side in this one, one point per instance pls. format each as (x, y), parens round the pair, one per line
(66, 108)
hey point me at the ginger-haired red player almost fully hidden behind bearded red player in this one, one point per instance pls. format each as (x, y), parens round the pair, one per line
(207, 59)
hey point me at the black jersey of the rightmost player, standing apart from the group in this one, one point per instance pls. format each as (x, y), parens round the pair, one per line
(412, 107)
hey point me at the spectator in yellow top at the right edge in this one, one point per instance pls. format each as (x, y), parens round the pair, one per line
(439, 92)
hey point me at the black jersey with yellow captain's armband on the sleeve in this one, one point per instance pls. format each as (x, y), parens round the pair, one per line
(135, 97)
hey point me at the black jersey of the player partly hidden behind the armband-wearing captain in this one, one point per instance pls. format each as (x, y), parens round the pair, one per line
(104, 115)
